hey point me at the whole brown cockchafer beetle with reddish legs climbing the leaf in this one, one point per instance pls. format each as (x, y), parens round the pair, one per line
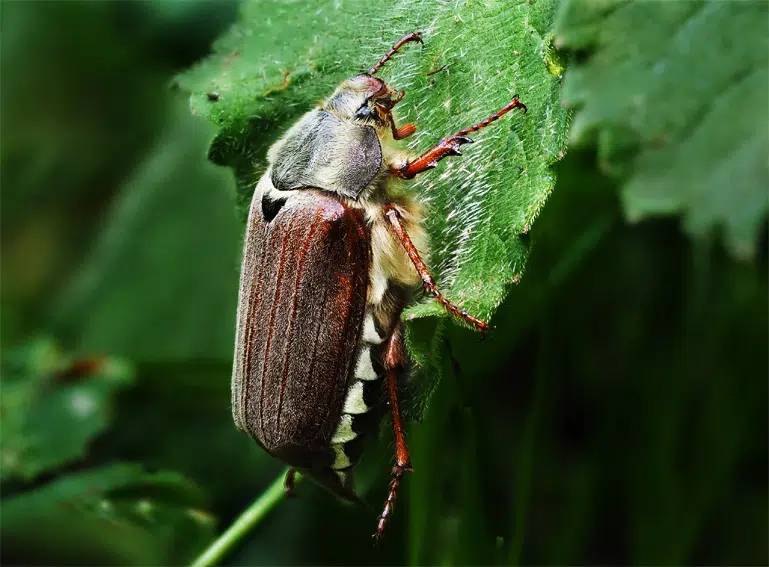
(331, 254)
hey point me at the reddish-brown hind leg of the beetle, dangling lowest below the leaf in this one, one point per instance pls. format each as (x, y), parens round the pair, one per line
(394, 360)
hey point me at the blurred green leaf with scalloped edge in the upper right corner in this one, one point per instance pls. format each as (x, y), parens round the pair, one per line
(676, 92)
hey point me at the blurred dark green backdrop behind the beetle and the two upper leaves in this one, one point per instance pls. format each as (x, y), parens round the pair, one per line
(617, 416)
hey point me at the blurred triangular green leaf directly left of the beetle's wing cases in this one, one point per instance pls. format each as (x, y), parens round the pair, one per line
(151, 269)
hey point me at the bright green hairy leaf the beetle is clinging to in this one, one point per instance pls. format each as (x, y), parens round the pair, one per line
(282, 58)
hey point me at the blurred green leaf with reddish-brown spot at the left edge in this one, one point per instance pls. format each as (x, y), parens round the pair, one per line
(52, 407)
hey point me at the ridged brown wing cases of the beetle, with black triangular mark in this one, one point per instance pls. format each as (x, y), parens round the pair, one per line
(302, 296)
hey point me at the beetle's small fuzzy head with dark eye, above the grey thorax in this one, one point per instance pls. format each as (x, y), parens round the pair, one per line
(366, 100)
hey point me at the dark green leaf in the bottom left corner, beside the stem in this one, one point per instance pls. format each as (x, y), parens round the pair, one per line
(117, 514)
